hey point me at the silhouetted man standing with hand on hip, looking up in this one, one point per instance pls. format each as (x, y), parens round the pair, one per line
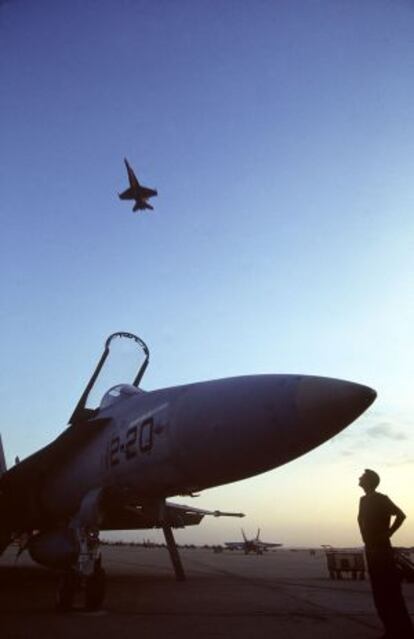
(374, 518)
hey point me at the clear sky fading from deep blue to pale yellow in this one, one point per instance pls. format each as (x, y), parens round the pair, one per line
(280, 136)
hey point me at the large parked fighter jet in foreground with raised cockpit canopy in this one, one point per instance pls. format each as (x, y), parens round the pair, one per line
(116, 464)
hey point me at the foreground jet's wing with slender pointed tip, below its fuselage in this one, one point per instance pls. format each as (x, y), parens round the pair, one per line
(133, 517)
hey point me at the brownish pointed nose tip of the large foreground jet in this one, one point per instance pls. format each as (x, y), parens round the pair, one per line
(326, 405)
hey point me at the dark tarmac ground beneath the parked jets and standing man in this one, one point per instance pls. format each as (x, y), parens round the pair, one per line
(285, 594)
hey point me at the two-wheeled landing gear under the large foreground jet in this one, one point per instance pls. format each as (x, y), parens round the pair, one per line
(86, 581)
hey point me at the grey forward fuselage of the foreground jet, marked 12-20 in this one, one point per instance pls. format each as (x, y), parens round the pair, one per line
(184, 439)
